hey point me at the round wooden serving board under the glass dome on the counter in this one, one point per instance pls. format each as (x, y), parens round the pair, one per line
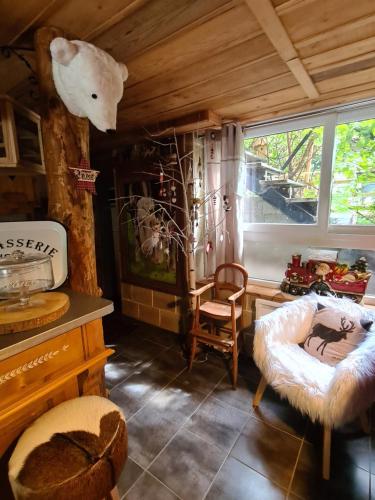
(43, 308)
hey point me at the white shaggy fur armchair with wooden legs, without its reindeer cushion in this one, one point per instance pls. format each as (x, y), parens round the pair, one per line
(331, 395)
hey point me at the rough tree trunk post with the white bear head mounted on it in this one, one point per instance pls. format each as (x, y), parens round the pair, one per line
(65, 142)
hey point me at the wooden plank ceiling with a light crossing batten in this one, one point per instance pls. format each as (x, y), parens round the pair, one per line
(243, 59)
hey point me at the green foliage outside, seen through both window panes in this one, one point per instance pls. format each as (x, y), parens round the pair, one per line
(297, 154)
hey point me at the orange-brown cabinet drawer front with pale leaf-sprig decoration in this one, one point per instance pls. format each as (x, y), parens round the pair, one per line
(23, 373)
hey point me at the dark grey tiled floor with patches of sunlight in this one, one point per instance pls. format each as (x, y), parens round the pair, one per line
(192, 437)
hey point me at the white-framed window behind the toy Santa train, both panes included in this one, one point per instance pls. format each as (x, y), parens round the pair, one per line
(310, 185)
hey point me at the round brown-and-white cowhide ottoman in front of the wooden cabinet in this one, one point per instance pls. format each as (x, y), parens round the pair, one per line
(74, 451)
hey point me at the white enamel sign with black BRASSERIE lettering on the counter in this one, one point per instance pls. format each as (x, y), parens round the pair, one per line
(44, 237)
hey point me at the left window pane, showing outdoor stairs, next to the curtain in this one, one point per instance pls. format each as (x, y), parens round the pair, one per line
(283, 176)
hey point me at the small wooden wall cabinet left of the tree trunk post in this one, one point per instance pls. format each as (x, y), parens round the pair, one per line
(21, 150)
